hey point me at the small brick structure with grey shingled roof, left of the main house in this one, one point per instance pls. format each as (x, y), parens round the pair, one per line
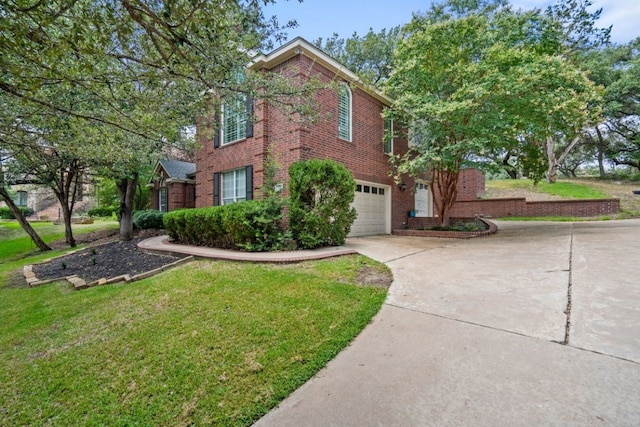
(173, 185)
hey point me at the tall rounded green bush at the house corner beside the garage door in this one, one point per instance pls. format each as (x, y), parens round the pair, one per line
(320, 212)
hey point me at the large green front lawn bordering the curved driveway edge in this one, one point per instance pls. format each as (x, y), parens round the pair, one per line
(208, 343)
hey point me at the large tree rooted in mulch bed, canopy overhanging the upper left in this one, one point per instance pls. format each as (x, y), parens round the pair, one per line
(145, 68)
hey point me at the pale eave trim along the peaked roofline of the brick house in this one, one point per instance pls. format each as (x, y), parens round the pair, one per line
(299, 46)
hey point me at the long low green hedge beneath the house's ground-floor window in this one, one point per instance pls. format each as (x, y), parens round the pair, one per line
(253, 225)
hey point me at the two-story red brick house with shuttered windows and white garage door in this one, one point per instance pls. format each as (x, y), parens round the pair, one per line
(350, 129)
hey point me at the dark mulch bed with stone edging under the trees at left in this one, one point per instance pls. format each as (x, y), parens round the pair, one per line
(107, 260)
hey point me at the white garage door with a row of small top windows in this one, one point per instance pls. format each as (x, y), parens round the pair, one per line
(371, 204)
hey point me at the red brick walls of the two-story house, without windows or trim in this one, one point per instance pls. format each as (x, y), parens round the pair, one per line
(294, 140)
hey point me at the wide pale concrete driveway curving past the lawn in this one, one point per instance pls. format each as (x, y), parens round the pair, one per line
(536, 325)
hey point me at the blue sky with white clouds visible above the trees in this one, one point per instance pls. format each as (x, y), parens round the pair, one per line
(322, 18)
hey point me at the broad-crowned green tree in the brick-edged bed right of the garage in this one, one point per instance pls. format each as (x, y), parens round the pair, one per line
(475, 76)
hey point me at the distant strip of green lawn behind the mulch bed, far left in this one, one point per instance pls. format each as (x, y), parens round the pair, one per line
(15, 243)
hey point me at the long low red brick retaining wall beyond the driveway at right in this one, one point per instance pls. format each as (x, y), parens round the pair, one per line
(520, 207)
